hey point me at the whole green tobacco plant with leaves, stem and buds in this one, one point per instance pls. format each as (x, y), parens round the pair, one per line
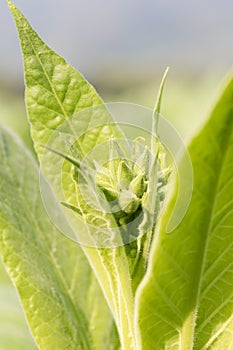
(120, 280)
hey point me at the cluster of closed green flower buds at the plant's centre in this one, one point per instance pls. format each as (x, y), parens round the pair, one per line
(126, 186)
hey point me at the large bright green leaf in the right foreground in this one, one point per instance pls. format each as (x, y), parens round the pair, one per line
(186, 300)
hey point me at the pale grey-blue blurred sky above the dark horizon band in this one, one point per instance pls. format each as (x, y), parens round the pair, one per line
(99, 35)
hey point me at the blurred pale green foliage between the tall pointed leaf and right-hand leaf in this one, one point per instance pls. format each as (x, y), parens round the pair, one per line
(186, 100)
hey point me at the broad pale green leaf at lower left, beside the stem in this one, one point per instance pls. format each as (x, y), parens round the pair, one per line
(50, 272)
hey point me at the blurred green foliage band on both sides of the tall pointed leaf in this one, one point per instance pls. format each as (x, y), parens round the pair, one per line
(186, 101)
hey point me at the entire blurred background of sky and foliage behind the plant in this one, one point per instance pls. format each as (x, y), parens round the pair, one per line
(122, 47)
